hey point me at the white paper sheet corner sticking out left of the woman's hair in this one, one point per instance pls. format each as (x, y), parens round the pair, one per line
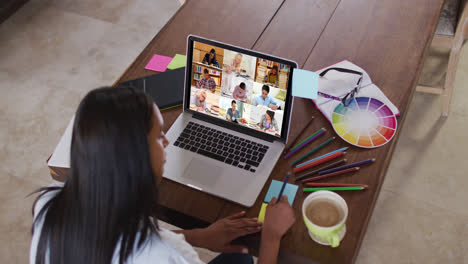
(61, 156)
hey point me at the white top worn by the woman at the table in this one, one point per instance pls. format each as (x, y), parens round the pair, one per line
(169, 247)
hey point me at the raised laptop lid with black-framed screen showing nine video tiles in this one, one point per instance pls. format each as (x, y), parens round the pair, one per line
(237, 88)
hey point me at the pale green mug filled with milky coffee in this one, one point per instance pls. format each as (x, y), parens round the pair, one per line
(328, 235)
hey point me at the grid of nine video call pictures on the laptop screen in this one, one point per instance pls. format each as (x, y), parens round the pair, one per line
(239, 88)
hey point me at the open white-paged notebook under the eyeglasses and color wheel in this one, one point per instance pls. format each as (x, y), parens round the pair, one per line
(339, 84)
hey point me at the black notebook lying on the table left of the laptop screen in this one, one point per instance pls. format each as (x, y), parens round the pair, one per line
(166, 88)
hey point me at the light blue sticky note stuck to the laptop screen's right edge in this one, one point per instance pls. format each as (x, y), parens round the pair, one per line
(305, 84)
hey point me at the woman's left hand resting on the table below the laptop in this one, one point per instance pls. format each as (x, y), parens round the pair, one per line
(219, 235)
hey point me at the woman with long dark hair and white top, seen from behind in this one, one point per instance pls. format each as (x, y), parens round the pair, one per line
(105, 211)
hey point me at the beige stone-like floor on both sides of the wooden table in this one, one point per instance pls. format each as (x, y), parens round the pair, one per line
(53, 52)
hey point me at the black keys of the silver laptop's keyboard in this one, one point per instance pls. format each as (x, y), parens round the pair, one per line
(218, 145)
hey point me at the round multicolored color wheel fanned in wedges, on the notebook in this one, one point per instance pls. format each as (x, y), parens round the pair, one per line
(366, 122)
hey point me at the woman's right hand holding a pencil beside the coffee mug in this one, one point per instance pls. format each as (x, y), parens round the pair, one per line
(279, 217)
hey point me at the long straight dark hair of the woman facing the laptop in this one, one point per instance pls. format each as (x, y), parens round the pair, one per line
(110, 195)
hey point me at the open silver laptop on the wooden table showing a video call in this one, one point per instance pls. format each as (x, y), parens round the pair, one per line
(235, 122)
